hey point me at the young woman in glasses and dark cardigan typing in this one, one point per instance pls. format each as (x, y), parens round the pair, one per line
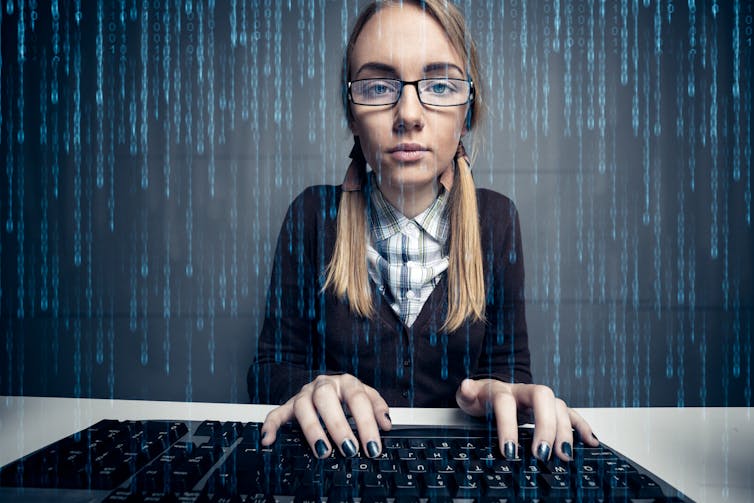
(404, 286)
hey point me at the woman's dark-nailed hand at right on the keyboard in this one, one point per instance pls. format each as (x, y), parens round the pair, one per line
(554, 421)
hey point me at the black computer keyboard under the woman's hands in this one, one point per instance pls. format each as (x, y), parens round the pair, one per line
(175, 461)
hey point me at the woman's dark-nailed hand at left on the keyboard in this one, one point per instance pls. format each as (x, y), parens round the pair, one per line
(324, 398)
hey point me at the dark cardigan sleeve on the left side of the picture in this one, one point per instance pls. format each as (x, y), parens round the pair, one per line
(286, 347)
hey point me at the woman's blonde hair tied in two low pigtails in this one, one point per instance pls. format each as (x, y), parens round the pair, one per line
(347, 276)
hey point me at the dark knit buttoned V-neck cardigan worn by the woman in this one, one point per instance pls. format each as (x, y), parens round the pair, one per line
(308, 332)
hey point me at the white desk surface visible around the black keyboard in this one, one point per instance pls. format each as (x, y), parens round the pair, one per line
(708, 453)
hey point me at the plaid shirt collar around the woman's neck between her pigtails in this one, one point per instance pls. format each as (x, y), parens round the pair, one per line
(386, 220)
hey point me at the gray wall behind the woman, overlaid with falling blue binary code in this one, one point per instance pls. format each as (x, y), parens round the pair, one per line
(150, 150)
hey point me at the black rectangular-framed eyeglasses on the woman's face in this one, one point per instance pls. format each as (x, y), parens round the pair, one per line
(438, 91)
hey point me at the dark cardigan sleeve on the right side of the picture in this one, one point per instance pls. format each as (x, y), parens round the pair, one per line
(505, 352)
